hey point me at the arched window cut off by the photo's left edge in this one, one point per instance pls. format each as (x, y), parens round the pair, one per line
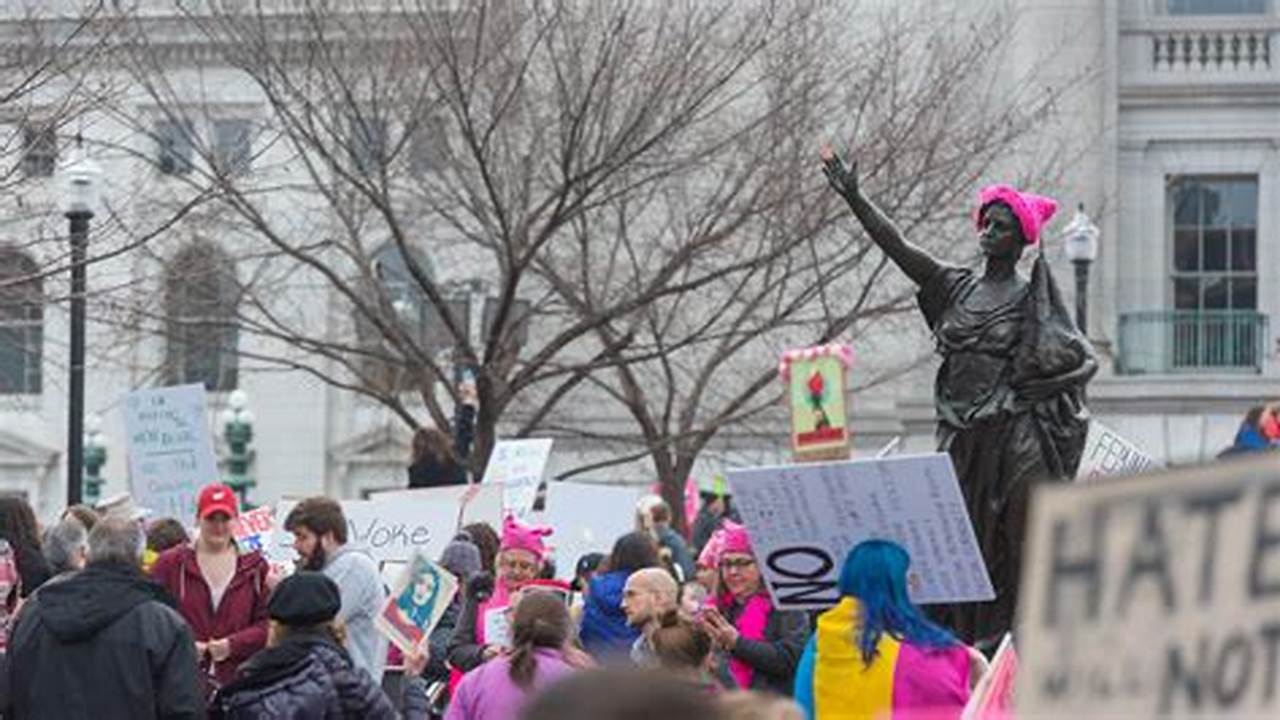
(22, 323)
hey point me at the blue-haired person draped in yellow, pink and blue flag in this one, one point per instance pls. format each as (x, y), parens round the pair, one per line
(876, 654)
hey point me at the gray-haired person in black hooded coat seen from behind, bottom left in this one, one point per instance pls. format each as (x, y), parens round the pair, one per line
(104, 642)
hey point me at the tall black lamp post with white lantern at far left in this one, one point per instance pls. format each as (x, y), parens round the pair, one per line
(80, 199)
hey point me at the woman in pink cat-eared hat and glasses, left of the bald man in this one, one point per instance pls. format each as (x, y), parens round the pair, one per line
(520, 560)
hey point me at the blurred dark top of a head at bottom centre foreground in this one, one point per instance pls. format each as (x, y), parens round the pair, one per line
(624, 695)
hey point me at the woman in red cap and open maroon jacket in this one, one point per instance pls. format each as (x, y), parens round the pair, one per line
(221, 593)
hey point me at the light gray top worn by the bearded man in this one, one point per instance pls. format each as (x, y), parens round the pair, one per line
(363, 598)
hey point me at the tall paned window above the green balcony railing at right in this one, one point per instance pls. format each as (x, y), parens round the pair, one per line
(1215, 271)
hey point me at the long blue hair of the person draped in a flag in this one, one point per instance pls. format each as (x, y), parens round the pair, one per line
(875, 573)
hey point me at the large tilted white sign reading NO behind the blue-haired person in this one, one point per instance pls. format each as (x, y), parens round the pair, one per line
(804, 520)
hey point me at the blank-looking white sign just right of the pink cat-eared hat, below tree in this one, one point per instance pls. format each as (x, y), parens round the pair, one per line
(587, 518)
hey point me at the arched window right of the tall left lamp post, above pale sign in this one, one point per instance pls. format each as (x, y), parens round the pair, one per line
(202, 297)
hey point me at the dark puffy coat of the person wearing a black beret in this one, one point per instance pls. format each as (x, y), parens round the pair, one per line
(309, 676)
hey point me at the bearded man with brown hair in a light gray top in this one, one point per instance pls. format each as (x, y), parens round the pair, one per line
(321, 540)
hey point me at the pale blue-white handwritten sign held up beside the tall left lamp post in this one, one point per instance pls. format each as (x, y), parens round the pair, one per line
(171, 449)
